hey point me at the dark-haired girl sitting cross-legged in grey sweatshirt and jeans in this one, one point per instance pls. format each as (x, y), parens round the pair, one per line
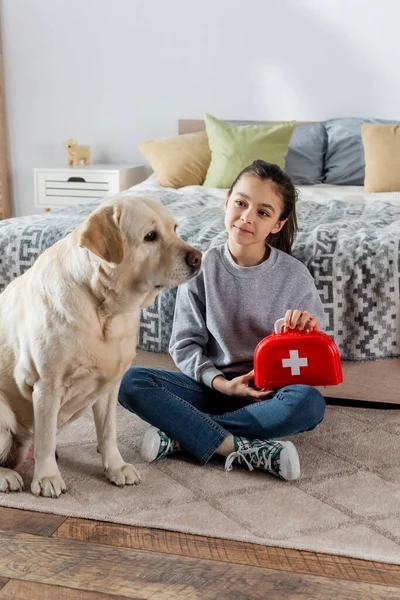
(245, 285)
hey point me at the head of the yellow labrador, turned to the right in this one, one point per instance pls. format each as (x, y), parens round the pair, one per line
(137, 236)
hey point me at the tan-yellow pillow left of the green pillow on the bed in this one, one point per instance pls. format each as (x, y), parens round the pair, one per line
(180, 160)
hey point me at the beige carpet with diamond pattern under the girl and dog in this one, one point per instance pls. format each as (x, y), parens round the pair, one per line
(347, 501)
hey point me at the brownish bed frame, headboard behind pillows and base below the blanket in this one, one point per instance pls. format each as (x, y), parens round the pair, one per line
(372, 381)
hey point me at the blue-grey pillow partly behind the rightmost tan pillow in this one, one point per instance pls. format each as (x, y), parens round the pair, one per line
(344, 159)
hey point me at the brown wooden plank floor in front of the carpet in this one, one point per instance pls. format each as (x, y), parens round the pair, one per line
(45, 557)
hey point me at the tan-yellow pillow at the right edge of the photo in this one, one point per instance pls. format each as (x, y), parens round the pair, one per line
(382, 157)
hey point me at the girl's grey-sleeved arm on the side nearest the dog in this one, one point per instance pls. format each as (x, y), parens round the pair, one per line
(190, 335)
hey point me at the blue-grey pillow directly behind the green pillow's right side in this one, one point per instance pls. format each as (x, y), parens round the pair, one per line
(305, 158)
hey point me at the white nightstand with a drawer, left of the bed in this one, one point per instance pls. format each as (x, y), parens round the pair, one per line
(55, 188)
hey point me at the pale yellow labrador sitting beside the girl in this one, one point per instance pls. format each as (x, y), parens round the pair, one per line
(68, 329)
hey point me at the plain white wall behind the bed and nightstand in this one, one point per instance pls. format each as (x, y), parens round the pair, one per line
(113, 72)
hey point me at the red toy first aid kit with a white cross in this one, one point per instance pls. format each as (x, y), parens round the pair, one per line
(310, 358)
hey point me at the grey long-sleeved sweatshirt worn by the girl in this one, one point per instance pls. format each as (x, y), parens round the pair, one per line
(223, 313)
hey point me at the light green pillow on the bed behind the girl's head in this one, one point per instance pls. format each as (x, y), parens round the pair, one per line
(235, 147)
